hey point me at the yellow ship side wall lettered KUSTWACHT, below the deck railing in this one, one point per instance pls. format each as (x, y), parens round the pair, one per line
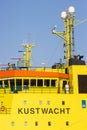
(43, 111)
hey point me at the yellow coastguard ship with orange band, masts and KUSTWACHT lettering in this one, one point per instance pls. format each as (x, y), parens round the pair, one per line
(52, 98)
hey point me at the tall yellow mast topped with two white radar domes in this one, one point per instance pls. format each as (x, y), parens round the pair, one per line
(68, 34)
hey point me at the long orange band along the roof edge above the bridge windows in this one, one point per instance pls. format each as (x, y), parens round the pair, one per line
(31, 73)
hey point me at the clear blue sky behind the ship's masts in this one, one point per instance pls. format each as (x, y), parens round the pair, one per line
(31, 21)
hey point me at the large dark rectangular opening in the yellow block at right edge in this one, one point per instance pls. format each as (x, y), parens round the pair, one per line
(82, 83)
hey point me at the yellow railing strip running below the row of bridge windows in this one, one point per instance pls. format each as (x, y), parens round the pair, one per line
(36, 90)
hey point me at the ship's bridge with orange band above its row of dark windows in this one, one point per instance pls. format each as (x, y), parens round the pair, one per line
(40, 80)
